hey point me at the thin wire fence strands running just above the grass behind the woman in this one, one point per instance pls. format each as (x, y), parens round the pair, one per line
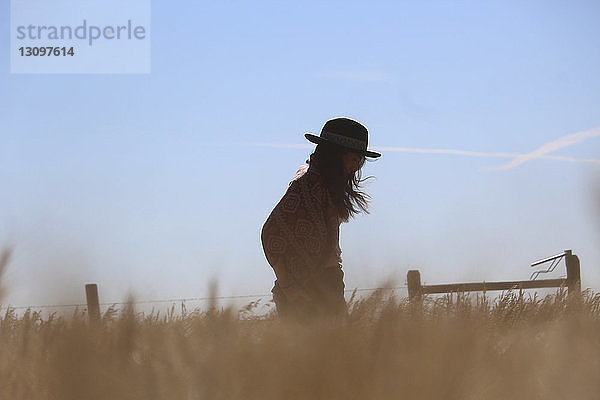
(179, 300)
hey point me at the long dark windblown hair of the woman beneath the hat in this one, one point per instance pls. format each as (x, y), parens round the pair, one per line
(346, 192)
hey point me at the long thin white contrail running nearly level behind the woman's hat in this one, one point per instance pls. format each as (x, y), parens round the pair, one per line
(443, 151)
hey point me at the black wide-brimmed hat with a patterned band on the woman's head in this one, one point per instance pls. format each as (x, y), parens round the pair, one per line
(346, 133)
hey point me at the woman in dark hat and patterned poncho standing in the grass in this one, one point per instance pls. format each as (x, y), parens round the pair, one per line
(301, 235)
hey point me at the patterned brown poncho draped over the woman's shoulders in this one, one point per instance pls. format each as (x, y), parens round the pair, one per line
(301, 235)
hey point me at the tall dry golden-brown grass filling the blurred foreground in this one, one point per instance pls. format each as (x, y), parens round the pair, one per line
(456, 347)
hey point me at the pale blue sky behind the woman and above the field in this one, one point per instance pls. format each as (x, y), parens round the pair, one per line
(156, 183)
